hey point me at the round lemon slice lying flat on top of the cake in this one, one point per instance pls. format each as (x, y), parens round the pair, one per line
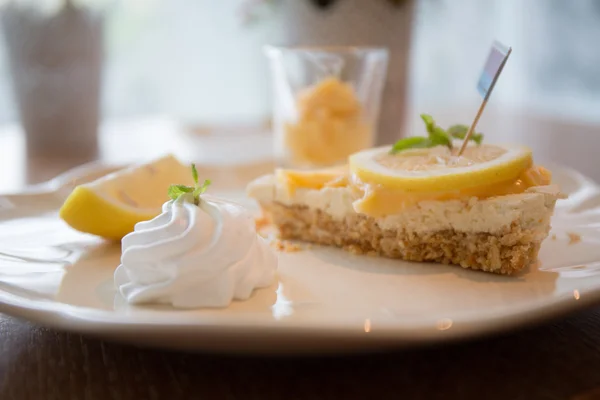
(438, 170)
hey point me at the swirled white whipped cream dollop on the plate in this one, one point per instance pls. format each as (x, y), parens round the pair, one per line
(195, 256)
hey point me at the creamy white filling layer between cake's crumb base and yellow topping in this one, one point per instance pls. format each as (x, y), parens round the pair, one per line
(531, 210)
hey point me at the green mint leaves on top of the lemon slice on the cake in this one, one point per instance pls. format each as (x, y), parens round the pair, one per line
(436, 136)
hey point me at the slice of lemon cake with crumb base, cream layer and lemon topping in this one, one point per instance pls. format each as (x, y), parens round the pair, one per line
(488, 209)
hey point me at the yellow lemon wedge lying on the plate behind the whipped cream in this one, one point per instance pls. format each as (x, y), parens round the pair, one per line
(111, 206)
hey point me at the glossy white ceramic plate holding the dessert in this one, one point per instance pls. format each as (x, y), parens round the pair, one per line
(324, 300)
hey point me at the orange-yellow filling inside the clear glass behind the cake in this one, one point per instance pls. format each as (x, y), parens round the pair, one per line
(329, 126)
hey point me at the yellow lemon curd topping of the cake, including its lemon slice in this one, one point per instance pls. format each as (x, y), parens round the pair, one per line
(386, 184)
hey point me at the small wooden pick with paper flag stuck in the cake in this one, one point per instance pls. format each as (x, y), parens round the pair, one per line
(491, 71)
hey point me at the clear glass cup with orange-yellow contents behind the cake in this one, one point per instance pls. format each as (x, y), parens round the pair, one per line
(326, 102)
